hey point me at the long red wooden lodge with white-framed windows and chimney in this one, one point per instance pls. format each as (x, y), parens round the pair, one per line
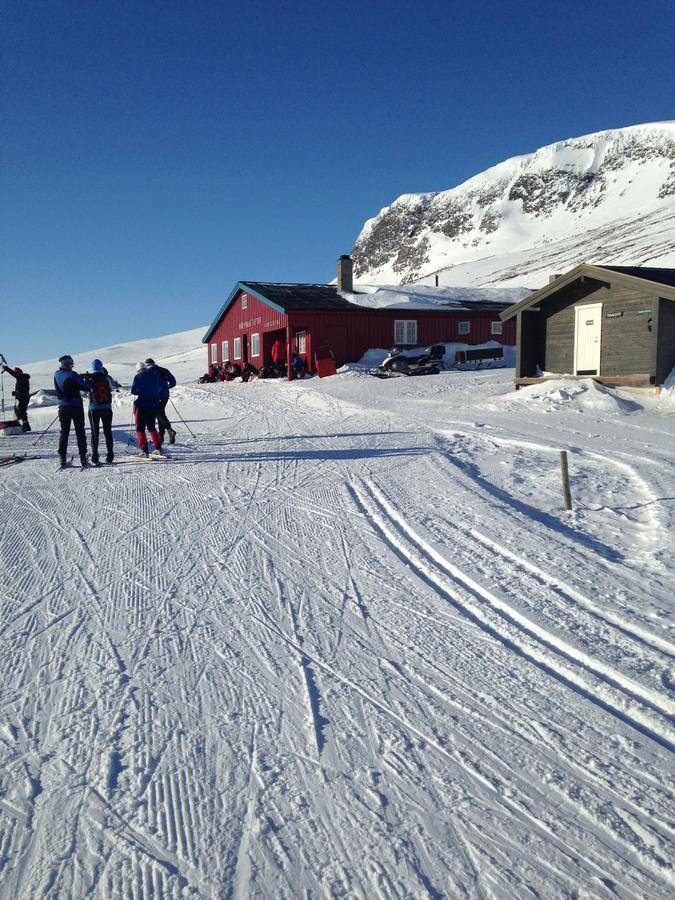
(312, 317)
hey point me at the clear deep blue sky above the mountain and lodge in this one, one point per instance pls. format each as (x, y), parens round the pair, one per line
(154, 153)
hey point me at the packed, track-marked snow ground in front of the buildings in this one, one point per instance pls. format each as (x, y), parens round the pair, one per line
(344, 642)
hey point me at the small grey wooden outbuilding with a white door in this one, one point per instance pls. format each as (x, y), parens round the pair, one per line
(612, 323)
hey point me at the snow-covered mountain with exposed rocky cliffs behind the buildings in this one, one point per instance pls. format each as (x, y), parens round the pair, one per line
(607, 197)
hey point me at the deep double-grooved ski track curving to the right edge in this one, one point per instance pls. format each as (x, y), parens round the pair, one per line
(662, 734)
